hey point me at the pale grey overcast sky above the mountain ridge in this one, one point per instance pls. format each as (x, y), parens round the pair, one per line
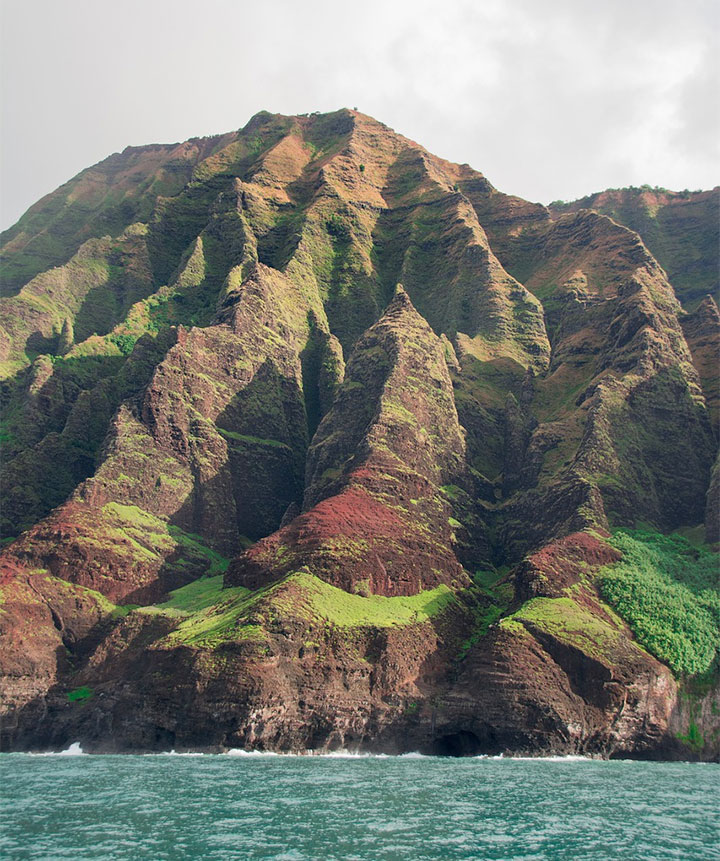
(548, 98)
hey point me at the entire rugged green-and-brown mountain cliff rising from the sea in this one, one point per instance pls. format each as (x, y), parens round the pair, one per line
(261, 495)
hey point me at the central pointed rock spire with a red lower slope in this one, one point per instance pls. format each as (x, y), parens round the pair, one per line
(381, 525)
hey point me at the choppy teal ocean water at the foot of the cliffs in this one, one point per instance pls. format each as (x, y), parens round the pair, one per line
(355, 807)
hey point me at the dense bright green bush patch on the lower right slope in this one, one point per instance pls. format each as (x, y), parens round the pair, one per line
(667, 591)
